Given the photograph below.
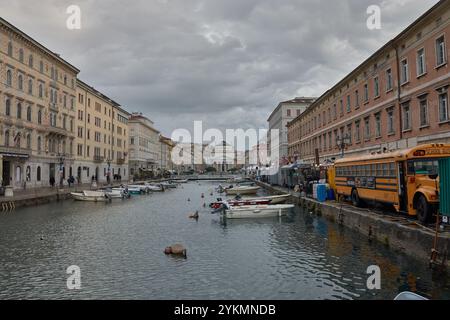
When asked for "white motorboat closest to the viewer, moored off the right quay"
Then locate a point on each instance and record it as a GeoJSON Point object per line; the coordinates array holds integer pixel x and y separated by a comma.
{"type": "Point", "coordinates": [257, 211]}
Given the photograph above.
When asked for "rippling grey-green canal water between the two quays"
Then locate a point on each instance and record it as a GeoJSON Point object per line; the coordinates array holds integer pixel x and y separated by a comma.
{"type": "Point", "coordinates": [119, 249]}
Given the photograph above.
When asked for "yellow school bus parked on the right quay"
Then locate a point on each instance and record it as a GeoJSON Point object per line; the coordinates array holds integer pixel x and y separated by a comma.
{"type": "Point", "coordinates": [407, 179]}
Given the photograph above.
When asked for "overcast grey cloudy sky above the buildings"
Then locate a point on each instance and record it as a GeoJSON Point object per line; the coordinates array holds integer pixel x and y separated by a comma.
{"type": "Point", "coordinates": [226, 62]}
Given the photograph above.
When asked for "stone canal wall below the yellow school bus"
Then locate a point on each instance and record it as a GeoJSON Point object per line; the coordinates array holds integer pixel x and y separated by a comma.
{"type": "Point", "coordinates": [396, 232]}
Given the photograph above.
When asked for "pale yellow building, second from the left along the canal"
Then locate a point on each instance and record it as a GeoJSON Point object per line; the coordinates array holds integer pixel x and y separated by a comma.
{"type": "Point", "coordinates": [101, 129]}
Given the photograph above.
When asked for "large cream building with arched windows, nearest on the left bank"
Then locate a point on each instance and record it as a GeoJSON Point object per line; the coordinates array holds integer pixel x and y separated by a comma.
{"type": "Point", "coordinates": [37, 111]}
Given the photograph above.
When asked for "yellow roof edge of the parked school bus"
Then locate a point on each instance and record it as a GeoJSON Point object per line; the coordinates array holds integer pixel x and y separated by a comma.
{"type": "Point", "coordinates": [400, 154]}
